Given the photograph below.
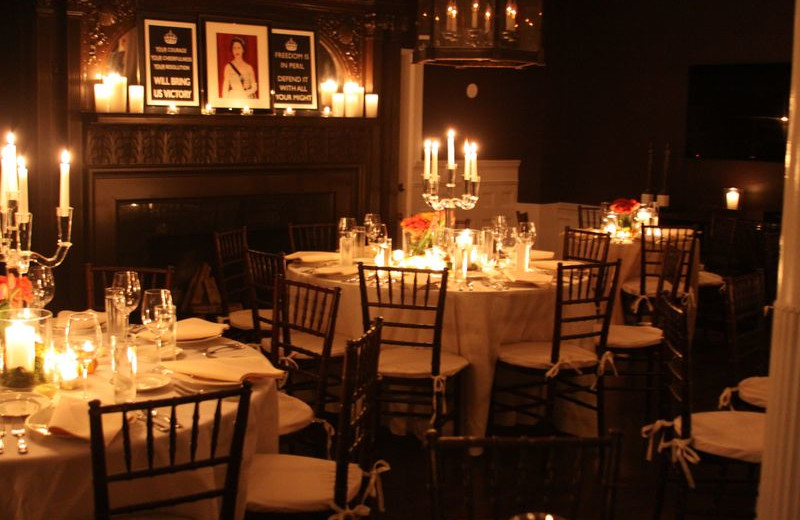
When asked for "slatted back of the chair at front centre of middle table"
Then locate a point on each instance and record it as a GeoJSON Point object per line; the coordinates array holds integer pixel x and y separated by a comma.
{"type": "Point", "coordinates": [411, 301]}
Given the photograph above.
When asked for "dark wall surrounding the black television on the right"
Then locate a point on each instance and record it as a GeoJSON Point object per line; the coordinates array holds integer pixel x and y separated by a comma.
{"type": "Point", "coordinates": [616, 81]}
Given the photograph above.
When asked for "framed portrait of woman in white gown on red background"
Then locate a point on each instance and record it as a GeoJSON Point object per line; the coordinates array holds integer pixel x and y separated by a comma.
{"type": "Point", "coordinates": [237, 64]}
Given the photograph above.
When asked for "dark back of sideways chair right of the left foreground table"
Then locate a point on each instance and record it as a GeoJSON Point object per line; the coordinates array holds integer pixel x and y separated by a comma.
{"type": "Point", "coordinates": [358, 418]}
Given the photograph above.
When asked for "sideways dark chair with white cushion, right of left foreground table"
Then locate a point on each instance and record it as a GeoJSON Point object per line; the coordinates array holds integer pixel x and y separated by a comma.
{"type": "Point", "coordinates": [281, 484]}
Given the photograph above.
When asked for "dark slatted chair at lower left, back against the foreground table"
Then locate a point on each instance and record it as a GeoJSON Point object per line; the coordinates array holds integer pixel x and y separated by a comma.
{"type": "Point", "coordinates": [193, 450]}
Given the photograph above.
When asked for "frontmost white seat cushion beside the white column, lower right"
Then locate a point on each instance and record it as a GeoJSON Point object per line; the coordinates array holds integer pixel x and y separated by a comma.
{"type": "Point", "coordinates": [729, 434]}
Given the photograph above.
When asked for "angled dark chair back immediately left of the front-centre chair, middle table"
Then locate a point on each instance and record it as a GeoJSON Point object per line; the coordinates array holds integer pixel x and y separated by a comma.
{"type": "Point", "coordinates": [305, 311]}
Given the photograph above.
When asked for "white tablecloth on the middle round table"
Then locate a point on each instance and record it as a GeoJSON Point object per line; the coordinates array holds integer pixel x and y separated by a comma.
{"type": "Point", "coordinates": [475, 324]}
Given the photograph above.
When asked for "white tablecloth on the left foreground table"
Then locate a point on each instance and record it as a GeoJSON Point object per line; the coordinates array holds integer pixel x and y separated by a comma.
{"type": "Point", "coordinates": [54, 480]}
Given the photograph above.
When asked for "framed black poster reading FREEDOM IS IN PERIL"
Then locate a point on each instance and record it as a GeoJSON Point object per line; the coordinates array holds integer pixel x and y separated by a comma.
{"type": "Point", "coordinates": [294, 68]}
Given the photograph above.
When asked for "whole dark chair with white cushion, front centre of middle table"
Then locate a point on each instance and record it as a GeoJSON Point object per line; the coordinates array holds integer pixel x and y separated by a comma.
{"type": "Point", "coordinates": [418, 378]}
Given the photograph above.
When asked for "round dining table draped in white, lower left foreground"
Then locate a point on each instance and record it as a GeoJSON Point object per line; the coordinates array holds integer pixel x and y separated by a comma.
{"type": "Point", "coordinates": [54, 479]}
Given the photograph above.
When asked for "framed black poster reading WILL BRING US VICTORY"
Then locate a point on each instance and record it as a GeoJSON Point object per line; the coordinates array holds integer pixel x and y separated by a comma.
{"type": "Point", "coordinates": [170, 49]}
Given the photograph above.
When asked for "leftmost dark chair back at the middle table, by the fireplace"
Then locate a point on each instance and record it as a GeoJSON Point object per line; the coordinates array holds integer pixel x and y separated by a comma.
{"type": "Point", "coordinates": [229, 250]}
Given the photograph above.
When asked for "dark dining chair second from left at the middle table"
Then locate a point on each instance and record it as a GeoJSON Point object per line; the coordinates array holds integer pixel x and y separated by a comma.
{"type": "Point", "coordinates": [261, 270]}
